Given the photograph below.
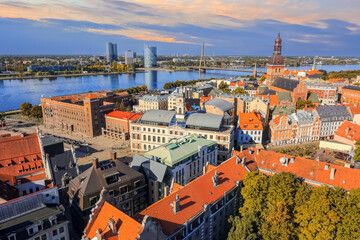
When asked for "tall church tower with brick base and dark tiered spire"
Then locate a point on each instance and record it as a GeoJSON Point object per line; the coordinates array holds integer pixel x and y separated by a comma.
{"type": "Point", "coordinates": [275, 67]}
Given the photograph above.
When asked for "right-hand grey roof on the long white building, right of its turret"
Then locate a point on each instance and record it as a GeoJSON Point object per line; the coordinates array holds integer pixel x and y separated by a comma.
{"type": "Point", "coordinates": [204, 120]}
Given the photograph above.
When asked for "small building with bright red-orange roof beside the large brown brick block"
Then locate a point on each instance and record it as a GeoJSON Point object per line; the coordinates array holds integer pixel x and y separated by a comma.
{"type": "Point", "coordinates": [117, 124]}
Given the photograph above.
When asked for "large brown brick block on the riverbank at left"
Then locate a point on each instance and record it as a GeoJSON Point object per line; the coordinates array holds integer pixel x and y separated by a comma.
{"type": "Point", "coordinates": [80, 113]}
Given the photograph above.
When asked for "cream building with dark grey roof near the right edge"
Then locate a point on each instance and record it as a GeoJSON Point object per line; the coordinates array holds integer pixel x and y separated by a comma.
{"type": "Point", "coordinates": [331, 118]}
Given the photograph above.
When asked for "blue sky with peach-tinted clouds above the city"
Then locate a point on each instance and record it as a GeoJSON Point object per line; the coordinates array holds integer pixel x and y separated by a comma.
{"type": "Point", "coordinates": [227, 27]}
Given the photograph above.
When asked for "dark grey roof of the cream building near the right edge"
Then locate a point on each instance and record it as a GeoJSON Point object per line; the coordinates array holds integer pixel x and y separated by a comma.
{"type": "Point", "coordinates": [333, 113]}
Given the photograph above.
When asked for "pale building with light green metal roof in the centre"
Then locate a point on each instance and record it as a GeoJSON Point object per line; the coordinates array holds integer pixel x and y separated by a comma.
{"type": "Point", "coordinates": [185, 157]}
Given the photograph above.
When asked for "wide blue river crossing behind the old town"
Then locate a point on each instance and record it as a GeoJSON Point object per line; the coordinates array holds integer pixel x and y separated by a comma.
{"type": "Point", "coordinates": [14, 92]}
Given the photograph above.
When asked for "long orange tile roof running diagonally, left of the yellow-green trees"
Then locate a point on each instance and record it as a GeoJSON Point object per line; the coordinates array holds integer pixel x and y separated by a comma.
{"type": "Point", "coordinates": [195, 194]}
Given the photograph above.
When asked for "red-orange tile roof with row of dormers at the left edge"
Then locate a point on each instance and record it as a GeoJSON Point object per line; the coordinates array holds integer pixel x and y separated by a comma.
{"type": "Point", "coordinates": [20, 153]}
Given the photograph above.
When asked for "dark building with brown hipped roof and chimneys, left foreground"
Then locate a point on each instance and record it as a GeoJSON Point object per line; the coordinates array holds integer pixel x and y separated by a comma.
{"type": "Point", "coordinates": [124, 183]}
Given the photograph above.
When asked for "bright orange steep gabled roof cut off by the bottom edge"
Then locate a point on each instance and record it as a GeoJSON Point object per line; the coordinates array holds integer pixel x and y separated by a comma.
{"type": "Point", "coordinates": [128, 228]}
